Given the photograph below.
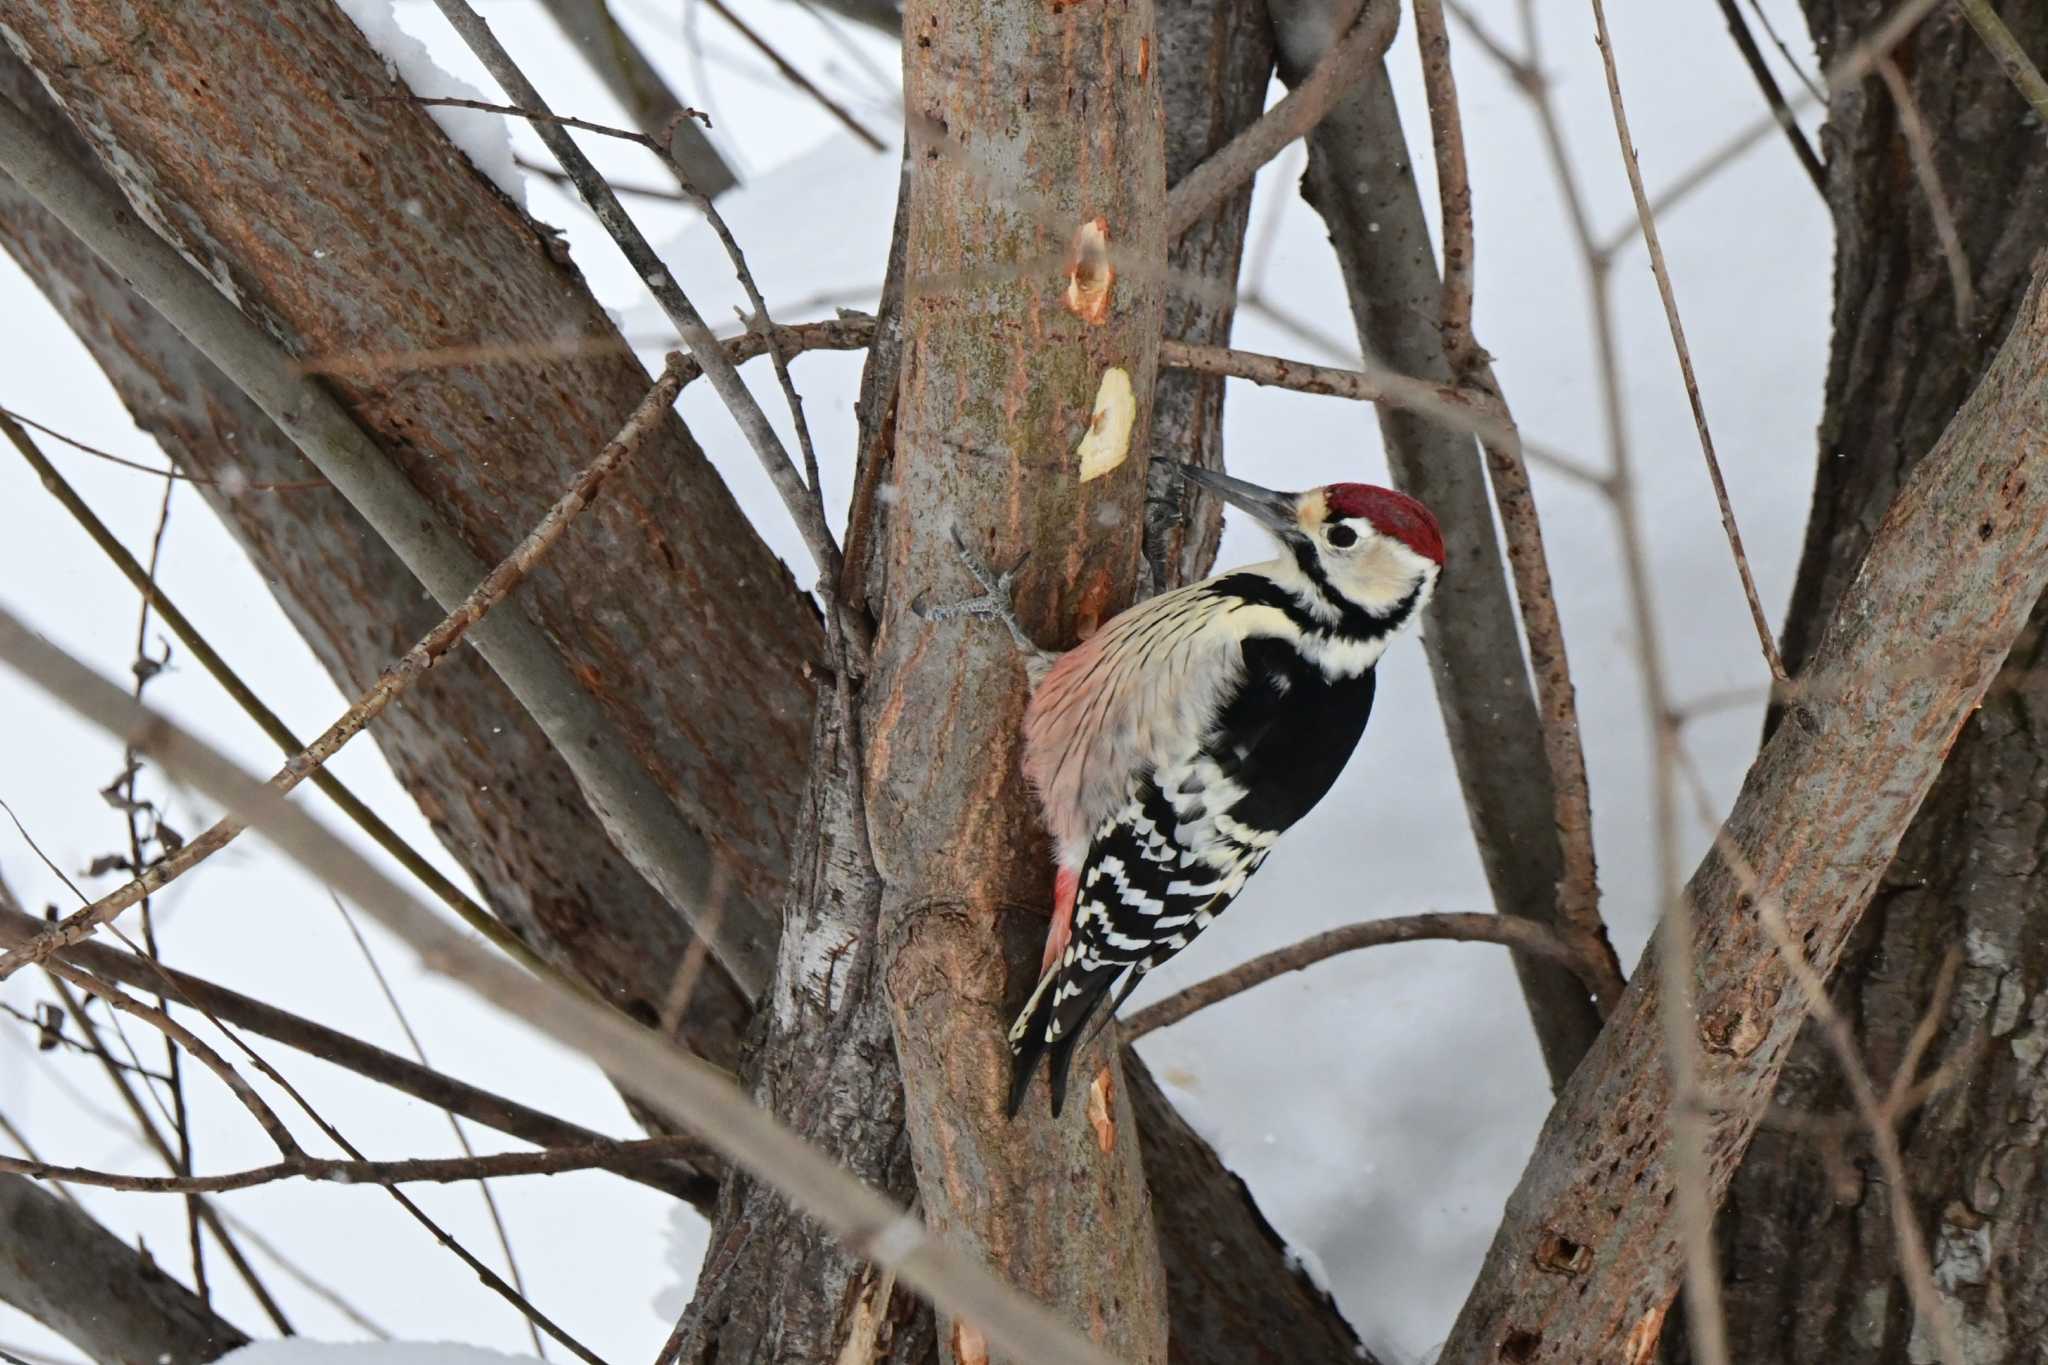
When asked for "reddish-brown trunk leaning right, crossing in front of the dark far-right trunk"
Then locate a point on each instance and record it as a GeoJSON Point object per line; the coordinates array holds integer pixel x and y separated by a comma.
{"type": "Point", "coordinates": [1959, 562]}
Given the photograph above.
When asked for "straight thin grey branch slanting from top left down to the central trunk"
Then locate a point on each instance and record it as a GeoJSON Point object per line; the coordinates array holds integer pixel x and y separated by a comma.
{"type": "Point", "coordinates": [699, 341]}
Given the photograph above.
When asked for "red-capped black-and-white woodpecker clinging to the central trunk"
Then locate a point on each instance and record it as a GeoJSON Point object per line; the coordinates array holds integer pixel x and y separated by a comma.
{"type": "Point", "coordinates": [1175, 746]}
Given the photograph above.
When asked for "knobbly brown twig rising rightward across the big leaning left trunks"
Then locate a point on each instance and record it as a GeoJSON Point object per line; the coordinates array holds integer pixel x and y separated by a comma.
{"type": "Point", "coordinates": [417, 662]}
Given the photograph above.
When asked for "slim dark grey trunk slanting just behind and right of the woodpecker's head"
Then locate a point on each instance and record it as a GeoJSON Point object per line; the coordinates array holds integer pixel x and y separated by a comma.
{"type": "Point", "coordinates": [1363, 183]}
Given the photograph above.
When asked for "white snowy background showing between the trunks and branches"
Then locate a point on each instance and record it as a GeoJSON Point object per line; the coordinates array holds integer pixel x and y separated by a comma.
{"type": "Point", "coordinates": [1381, 1106]}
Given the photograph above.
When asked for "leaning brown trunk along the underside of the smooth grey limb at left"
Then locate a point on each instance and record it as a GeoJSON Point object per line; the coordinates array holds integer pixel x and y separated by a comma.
{"type": "Point", "coordinates": [478, 766]}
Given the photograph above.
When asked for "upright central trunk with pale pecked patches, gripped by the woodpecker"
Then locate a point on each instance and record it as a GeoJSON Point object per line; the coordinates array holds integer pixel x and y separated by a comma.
{"type": "Point", "coordinates": [1033, 120]}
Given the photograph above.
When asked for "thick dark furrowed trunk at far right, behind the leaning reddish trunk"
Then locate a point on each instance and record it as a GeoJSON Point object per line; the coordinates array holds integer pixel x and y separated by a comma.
{"type": "Point", "coordinates": [1809, 1264]}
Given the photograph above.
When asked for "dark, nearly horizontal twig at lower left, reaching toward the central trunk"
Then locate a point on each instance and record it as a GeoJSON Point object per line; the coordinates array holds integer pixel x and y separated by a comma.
{"type": "Point", "coordinates": [409, 1172]}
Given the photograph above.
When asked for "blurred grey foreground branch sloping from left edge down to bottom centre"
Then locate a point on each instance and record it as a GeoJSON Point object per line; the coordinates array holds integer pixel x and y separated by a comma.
{"type": "Point", "coordinates": [697, 1096]}
